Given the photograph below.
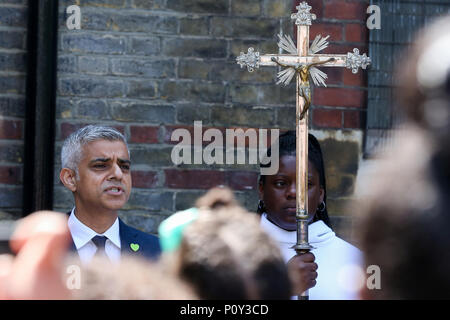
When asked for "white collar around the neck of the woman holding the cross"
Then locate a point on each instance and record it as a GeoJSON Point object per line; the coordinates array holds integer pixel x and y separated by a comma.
{"type": "Point", "coordinates": [318, 232]}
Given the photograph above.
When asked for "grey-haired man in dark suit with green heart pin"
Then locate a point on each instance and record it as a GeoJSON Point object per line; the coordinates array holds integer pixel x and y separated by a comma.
{"type": "Point", "coordinates": [96, 168]}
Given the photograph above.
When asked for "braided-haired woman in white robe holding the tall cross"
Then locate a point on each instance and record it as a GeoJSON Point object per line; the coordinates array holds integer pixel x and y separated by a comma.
{"type": "Point", "coordinates": [326, 270]}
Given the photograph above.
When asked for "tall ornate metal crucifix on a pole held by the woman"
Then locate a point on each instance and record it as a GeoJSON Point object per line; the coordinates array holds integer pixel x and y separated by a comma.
{"type": "Point", "coordinates": [302, 61]}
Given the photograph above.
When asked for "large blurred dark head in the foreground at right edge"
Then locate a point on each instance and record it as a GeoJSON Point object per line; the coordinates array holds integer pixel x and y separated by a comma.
{"type": "Point", "coordinates": [405, 227]}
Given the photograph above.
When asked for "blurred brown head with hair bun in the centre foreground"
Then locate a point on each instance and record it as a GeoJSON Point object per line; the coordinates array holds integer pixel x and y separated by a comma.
{"type": "Point", "coordinates": [224, 254]}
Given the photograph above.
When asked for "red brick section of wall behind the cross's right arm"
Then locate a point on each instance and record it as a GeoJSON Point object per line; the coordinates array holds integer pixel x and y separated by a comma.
{"type": "Point", "coordinates": [342, 105]}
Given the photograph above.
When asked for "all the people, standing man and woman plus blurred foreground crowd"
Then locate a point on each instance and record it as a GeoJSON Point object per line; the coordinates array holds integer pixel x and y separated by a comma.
{"type": "Point", "coordinates": [218, 250]}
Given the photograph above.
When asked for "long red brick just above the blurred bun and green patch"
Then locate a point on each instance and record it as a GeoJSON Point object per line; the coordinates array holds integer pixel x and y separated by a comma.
{"type": "Point", "coordinates": [194, 179]}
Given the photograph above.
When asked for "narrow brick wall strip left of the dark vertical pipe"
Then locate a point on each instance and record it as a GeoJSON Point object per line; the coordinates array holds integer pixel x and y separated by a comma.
{"type": "Point", "coordinates": [13, 24]}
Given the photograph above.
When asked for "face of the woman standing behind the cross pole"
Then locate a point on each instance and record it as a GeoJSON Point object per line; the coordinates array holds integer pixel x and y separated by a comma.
{"type": "Point", "coordinates": [279, 190]}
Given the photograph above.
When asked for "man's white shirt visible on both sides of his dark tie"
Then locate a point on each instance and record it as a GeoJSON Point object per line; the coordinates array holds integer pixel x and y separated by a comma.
{"type": "Point", "coordinates": [82, 237]}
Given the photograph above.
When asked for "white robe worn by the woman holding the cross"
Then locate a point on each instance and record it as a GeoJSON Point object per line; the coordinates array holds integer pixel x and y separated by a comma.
{"type": "Point", "coordinates": [340, 273]}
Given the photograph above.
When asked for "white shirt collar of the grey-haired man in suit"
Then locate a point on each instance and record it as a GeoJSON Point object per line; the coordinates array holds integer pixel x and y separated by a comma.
{"type": "Point", "coordinates": [82, 234]}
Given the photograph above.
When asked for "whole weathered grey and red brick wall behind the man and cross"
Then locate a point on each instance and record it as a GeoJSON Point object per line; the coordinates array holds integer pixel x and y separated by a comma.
{"type": "Point", "coordinates": [150, 67]}
